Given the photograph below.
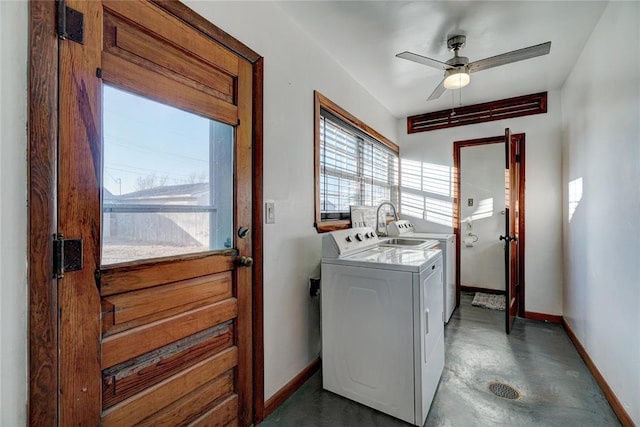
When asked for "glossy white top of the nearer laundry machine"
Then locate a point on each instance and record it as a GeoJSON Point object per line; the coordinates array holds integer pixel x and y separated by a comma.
{"type": "Point", "coordinates": [392, 258]}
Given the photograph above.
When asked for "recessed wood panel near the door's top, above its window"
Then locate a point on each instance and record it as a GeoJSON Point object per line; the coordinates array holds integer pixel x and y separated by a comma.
{"type": "Point", "coordinates": [136, 46]}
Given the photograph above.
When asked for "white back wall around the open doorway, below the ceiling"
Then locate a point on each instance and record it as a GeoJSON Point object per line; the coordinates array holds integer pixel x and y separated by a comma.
{"type": "Point", "coordinates": [543, 193]}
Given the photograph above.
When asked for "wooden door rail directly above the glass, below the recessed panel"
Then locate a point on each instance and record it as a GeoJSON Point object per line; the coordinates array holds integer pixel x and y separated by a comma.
{"type": "Point", "coordinates": [134, 78]}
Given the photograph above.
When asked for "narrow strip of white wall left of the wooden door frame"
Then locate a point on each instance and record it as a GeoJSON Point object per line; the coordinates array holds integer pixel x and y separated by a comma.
{"type": "Point", "coordinates": [13, 213]}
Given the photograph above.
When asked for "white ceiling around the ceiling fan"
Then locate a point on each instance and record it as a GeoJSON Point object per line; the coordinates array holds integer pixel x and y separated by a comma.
{"type": "Point", "coordinates": [365, 36]}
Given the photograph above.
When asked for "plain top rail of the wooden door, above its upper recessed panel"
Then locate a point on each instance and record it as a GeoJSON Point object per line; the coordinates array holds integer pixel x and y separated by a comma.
{"type": "Point", "coordinates": [157, 21]}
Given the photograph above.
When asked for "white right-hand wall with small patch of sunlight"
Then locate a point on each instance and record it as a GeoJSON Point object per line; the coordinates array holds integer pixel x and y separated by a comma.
{"type": "Point", "coordinates": [601, 145]}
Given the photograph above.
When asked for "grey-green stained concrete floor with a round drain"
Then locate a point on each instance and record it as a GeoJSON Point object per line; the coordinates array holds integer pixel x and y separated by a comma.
{"type": "Point", "coordinates": [537, 359]}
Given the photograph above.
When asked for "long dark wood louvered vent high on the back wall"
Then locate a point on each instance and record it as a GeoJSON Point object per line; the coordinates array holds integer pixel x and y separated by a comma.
{"type": "Point", "coordinates": [479, 113]}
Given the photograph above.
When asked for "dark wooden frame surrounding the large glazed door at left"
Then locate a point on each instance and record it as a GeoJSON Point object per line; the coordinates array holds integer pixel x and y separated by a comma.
{"type": "Point", "coordinates": [42, 169]}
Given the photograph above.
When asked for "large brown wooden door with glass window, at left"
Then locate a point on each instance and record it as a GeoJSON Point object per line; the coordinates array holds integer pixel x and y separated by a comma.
{"type": "Point", "coordinates": [158, 336]}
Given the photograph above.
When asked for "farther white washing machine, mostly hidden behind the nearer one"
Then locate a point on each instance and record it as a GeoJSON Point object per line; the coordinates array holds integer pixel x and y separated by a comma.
{"type": "Point", "coordinates": [406, 229]}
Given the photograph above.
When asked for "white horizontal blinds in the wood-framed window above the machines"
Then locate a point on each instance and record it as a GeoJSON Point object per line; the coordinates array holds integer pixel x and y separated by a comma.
{"type": "Point", "coordinates": [355, 169]}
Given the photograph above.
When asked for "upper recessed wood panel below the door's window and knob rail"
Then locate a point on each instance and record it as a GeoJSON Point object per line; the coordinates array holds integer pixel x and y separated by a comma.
{"type": "Point", "coordinates": [130, 309]}
